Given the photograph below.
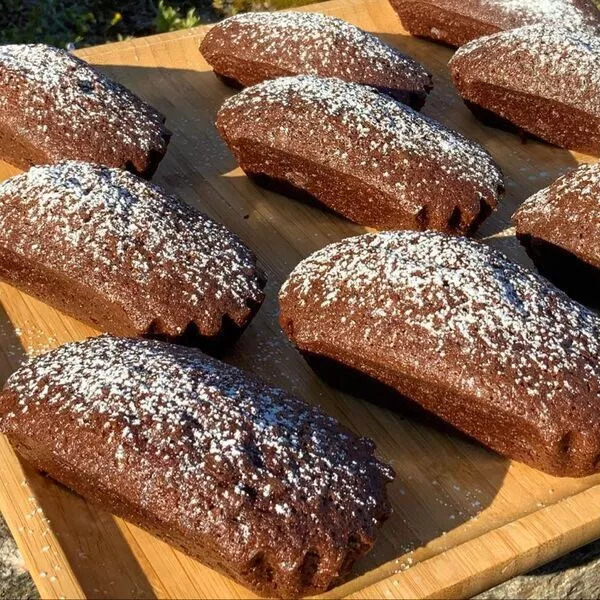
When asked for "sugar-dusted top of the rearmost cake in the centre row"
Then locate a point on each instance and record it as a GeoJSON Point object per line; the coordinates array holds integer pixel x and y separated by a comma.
{"type": "Point", "coordinates": [308, 42]}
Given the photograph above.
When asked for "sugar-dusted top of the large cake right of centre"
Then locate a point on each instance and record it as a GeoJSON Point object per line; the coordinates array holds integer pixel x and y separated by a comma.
{"type": "Point", "coordinates": [404, 295]}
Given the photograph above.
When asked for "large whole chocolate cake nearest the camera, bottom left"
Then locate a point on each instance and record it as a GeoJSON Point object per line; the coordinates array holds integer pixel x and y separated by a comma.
{"type": "Point", "coordinates": [243, 477]}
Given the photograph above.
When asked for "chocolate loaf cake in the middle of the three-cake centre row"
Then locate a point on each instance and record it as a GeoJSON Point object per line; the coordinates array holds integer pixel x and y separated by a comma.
{"type": "Point", "coordinates": [362, 154]}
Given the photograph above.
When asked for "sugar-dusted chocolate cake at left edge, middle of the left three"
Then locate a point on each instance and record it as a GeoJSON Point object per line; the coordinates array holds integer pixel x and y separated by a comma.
{"type": "Point", "coordinates": [117, 252]}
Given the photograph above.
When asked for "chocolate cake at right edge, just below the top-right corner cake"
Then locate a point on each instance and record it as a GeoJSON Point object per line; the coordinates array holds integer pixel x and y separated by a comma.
{"type": "Point", "coordinates": [536, 79]}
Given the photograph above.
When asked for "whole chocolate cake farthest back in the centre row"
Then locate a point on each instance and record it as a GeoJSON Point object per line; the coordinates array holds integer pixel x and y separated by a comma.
{"type": "Point", "coordinates": [249, 48]}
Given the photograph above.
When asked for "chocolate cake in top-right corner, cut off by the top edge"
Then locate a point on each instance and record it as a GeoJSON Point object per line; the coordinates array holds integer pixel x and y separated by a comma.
{"type": "Point", "coordinates": [456, 22]}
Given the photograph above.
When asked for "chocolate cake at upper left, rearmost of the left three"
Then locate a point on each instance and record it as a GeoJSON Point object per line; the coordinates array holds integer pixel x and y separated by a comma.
{"type": "Point", "coordinates": [54, 107]}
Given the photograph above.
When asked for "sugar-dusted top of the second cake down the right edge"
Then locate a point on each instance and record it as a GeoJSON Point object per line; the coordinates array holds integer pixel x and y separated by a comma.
{"type": "Point", "coordinates": [553, 63]}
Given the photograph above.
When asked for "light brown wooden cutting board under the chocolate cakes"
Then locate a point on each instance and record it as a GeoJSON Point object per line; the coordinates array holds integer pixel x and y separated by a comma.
{"type": "Point", "coordinates": [464, 518]}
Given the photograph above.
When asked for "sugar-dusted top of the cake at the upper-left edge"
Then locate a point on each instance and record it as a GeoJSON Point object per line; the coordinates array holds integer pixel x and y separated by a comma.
{"type": "Point", "coordinates": [85, 105]}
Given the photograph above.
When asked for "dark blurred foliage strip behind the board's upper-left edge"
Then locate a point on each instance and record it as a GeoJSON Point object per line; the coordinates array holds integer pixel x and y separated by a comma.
{"type": "Point", "coordinates": [88, 22]}
